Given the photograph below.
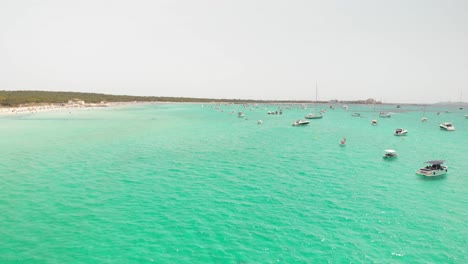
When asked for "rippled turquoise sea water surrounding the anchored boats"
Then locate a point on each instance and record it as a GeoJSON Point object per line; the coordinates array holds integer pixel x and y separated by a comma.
{"type": "Point", "coordinates": [190, 183]}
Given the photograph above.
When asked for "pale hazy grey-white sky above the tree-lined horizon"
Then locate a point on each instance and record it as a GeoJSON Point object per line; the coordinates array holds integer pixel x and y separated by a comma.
{"type": "Point", "coordinates": [392, 50]}
